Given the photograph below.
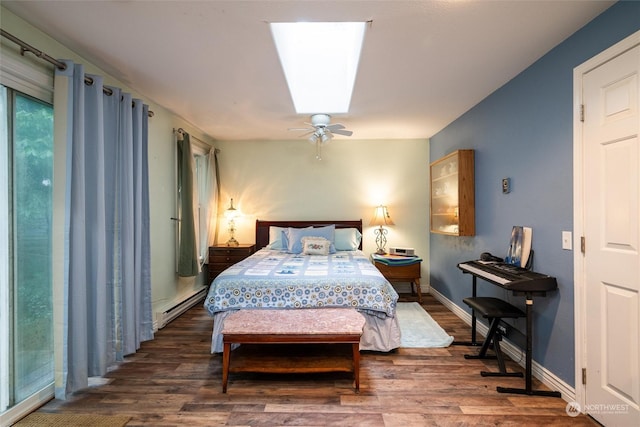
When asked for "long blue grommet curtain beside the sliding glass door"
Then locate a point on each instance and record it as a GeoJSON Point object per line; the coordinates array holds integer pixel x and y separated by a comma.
{"type": "Point", "coordinates": [107, 277]}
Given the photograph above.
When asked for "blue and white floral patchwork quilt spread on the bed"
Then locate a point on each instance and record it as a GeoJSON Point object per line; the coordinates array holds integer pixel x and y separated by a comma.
{"type": "Point", "coordinates": [274, 279]}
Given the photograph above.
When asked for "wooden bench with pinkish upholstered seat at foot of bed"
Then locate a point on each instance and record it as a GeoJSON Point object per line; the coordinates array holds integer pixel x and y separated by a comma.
{"type": "Point", "coordinates": [294, 326]}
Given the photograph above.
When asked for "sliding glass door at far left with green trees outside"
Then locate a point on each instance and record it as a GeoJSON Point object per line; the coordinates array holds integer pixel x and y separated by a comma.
{"type": "Point", "coordinates": [26, 310]}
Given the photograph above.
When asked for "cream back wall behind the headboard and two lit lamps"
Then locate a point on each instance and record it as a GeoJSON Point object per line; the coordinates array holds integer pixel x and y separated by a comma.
{"type": "Point", "coordinates": [281, 180]}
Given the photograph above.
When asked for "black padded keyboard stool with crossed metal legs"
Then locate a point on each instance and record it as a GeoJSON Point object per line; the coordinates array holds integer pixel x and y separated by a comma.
{"type": "Point", "coordinates": [493, 309]}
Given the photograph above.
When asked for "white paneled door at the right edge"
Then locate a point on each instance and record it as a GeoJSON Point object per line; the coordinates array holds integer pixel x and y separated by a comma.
{"type": "Point", "coordinates": [611, 265]}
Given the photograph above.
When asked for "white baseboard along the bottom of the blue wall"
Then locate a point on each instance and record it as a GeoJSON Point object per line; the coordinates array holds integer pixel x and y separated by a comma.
{"type": "Point", "coordinates": [545, 376]}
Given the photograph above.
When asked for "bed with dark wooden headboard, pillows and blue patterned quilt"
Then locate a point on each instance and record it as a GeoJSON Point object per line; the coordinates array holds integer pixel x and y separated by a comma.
{"type": "Point", "coordinates": [279, 275]}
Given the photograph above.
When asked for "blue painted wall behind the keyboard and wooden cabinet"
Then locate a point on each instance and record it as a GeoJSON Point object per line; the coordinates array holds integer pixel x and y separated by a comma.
{"type": "Point", "coordinates": [524, 131]}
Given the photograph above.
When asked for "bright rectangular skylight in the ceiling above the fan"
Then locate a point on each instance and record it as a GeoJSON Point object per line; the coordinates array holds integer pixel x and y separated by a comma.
{"type": "Point", "coordinates": [320, 61]}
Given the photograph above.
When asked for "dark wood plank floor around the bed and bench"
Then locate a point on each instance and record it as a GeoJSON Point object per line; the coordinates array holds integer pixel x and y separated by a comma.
{"type": "Point", "coordinates": [175, 381]}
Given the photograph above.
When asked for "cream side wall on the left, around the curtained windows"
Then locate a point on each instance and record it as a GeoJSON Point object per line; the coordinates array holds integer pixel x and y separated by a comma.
{"type": "Point", "coordinates": [166, 287]}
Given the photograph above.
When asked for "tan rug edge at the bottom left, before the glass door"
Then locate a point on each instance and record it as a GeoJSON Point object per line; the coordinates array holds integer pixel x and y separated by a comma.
{"type": "Point", "coordinates": [44, 419]}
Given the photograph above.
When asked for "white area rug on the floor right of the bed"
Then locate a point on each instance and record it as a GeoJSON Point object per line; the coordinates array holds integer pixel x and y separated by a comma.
{"type": "Point", "coordinates": [418, 329]}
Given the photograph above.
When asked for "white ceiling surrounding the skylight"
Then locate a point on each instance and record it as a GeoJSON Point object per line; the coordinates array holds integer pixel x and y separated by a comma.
{"type": "Point", "coordinates": [213, 63]}
